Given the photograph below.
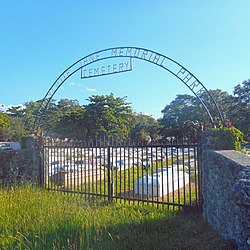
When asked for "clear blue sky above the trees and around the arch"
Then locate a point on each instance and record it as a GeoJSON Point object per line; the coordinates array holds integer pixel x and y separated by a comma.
{"type": "Point", "coordinates": [40, 39]}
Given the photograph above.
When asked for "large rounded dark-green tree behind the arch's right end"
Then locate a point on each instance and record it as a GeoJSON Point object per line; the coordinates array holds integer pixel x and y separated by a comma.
{"type": "Point", "coordinates": [186, 116]}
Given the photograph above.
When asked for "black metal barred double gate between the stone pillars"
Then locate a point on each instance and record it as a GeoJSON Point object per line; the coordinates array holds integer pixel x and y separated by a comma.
{"type": "Point", "coordinates": [166, 174]}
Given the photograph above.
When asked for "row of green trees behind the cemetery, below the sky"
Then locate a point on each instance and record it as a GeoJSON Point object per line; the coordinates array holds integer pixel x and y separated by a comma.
{"type": "Point", "coordinates": [113, 116]}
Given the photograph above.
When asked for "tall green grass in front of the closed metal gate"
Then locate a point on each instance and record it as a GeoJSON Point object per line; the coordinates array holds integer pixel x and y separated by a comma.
{"type": "Point", "coordinates": [33, 218]}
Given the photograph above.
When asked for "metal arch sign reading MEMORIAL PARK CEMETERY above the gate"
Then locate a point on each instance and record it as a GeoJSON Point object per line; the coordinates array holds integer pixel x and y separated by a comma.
{"type": "Point", "coordinates": [122, 58]}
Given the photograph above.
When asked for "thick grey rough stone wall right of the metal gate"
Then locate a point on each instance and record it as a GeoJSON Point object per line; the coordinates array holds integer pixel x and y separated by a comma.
{"type": "Point", "coordinates": [226, 192]}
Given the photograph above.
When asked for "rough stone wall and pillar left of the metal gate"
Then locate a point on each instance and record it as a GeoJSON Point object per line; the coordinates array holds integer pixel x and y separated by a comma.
{"type": "Point", "coordinates": [20, 166]}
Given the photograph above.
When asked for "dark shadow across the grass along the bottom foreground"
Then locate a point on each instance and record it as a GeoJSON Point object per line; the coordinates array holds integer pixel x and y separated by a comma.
{"type": "Point", "coordinates": [179, 231]}
